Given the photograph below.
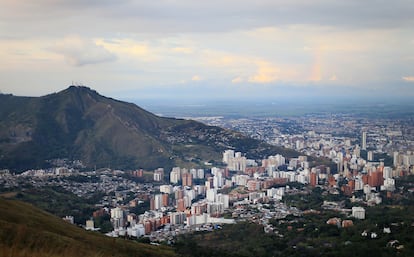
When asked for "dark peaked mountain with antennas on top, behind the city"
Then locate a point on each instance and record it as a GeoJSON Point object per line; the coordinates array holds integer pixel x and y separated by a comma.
{"type": "Point", "coordinates": [79, 124]}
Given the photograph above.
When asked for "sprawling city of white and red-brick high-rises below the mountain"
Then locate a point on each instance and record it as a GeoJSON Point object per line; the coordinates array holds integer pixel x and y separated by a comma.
{"type": "Point", "coordinates": [372, 166]}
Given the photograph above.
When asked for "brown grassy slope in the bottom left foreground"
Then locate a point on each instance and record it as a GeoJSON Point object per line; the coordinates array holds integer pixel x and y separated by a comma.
{"type": "Point", "coordinates": [28, 231]}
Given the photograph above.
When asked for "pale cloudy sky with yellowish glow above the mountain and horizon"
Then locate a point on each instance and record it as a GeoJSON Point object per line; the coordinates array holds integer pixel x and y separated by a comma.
{"type": "Point", "coordinates": [181, 49]}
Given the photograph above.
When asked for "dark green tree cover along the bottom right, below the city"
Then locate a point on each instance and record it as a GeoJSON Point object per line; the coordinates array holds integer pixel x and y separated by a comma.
{"type": "Point", "coordinates": [308, 236]}
